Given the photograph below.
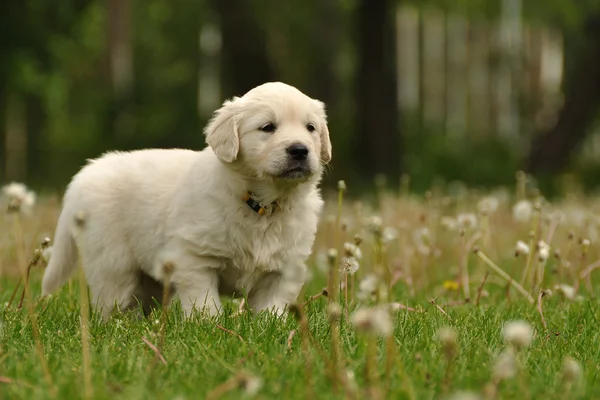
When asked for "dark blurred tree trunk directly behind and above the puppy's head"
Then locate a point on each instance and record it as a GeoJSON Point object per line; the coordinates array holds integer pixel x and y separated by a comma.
{"type": "Point", "coordinates": [244, 59]}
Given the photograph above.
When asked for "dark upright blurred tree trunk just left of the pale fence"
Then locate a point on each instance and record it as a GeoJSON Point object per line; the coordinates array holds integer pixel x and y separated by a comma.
{"type": "Point", "coordinates": [378, 148]}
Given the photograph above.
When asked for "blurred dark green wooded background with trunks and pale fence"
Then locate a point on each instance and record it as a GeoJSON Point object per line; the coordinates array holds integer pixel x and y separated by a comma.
{"type": "Point", "coordinates": [442, 90]}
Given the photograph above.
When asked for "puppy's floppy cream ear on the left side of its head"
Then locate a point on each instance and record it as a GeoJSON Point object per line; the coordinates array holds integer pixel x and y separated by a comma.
{"type": "Point", "coordinates": [222, 133]}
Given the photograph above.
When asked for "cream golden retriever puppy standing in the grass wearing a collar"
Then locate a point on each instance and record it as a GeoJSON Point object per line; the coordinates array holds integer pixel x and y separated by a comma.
{"type": "Point", "coordinates": [240, 216]}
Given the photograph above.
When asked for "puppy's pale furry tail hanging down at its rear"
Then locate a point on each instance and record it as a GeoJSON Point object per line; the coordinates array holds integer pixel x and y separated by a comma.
{"type": "Point", "coordinates": [63, 258]}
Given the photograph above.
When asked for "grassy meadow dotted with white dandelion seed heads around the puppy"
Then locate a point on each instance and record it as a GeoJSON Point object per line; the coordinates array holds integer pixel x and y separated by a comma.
{"type": "Point", "coordinates": [455, 294]}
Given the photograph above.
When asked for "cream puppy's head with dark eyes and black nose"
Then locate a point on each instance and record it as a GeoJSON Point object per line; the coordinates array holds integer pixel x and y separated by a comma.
{"type": "Point", "coordinates": [273, 131]}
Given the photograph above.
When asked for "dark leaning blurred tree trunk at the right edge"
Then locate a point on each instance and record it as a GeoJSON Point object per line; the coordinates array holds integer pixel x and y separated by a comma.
{"type": "Point", "coordinates": [550, 151]}
